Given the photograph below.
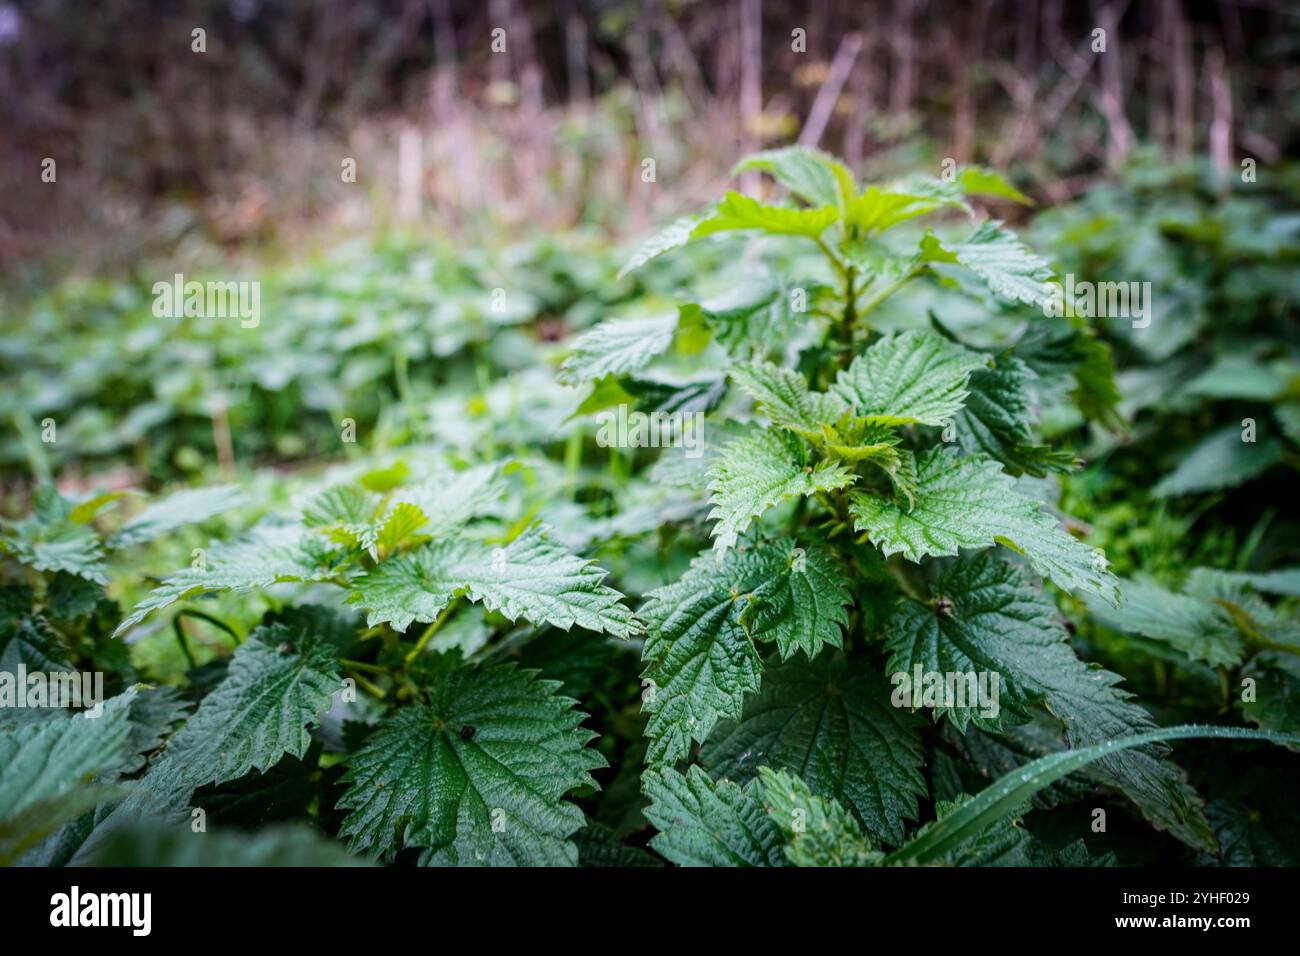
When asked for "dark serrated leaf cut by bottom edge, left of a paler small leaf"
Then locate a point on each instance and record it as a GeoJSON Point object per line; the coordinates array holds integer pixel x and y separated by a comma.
{"type": "Point", "coordinates": [707, 824]}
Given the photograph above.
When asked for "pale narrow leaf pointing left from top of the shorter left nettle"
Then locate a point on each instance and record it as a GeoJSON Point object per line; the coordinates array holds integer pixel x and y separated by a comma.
{"type": "Point", "coordinates": [268, 555]}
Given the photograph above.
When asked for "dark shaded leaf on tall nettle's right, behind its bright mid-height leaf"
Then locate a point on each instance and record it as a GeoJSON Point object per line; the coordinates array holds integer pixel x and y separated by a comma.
{"type": "Point", "coordinates": [998, 421]}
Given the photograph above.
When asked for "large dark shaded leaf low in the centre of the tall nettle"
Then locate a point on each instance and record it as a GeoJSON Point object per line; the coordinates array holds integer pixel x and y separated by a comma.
{"type": "Point", "coordinates": [831, 723]}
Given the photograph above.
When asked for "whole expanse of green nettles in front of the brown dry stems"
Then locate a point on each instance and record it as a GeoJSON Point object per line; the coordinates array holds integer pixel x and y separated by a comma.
{"type": "Point", "coordinates": [392, 596]}
